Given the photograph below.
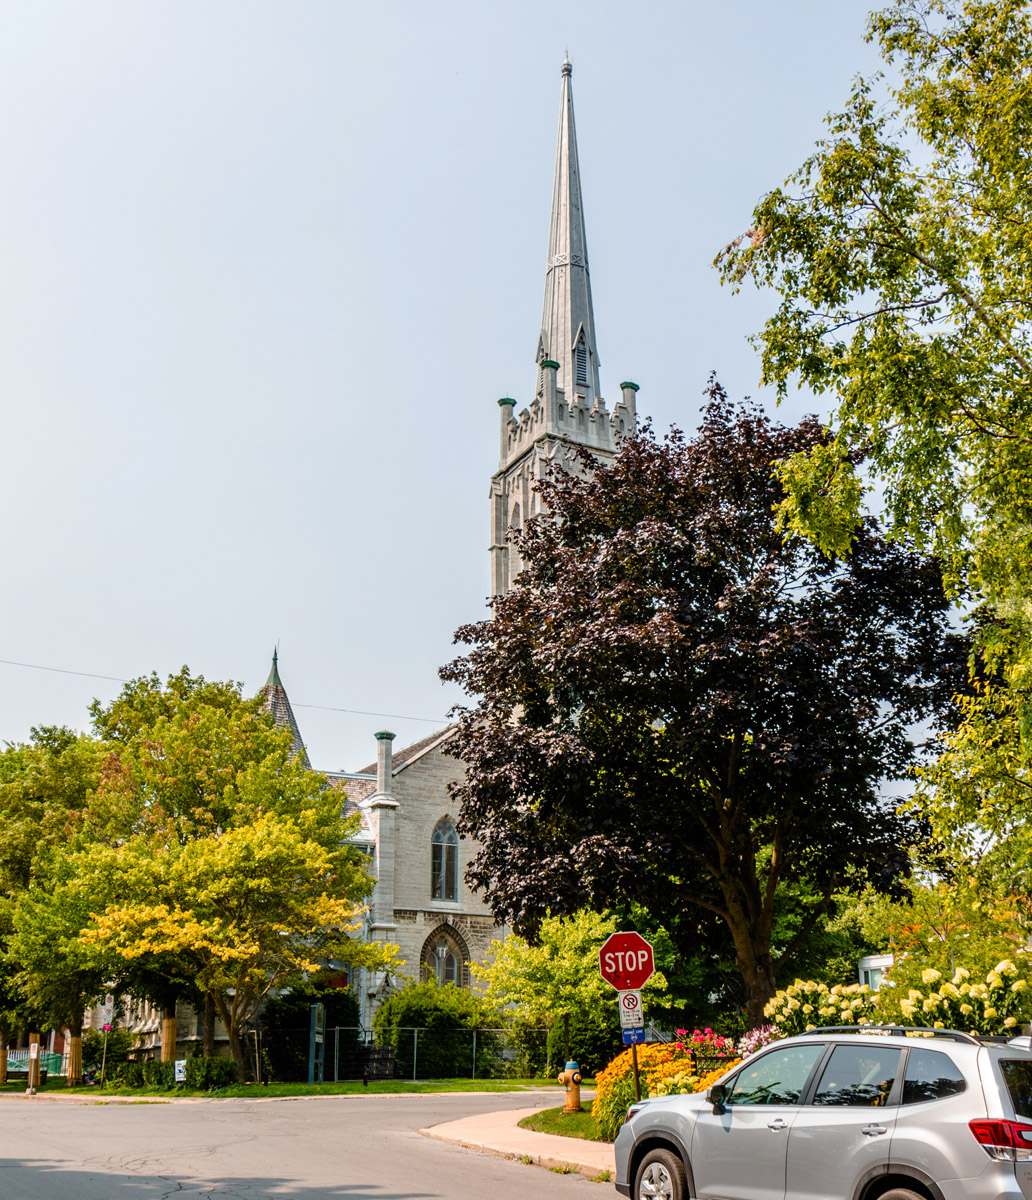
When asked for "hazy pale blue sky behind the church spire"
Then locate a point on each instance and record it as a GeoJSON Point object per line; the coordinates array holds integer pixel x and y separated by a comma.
{"type": "Point", "coordinates": [267, 269]}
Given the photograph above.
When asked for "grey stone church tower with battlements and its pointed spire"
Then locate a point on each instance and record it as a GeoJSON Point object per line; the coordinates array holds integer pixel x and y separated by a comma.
{"type": "Point", "coordinates": [568, 410]}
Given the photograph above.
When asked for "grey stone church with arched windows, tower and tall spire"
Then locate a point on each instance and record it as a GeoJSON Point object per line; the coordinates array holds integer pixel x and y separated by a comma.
{"type": "Point", "coordinates": [407, 819]}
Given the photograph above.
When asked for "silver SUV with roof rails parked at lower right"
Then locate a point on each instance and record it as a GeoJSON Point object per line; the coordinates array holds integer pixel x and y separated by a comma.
{"type": "Point", "coordinates": [871, 1113]}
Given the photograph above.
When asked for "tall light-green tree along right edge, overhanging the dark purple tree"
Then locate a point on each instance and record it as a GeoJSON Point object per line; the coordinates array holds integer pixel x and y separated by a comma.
{"type": "Point", "coordinates": [901, 255]}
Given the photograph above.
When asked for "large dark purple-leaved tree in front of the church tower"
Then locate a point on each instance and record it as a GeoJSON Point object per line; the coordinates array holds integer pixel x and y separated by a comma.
{"type": "Point", "coordinates": [681, 707]}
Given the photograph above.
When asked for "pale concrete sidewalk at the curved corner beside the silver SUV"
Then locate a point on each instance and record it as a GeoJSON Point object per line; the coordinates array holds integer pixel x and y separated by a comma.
{"type": "Point", "coordinates": [500, 1133]}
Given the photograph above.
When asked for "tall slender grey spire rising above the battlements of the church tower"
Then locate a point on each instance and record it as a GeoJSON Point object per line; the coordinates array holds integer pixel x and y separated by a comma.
{"type": "Point", "coordinates": [568, 321]}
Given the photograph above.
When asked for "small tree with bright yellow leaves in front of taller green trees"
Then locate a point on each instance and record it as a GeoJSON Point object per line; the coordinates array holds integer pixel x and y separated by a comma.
{"type": "Point", "coordinates": [239, 913]}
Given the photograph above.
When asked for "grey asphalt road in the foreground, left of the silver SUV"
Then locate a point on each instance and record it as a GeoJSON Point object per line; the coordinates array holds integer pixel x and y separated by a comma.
{"type": "Point", "coordinates": [328, 1149]}
